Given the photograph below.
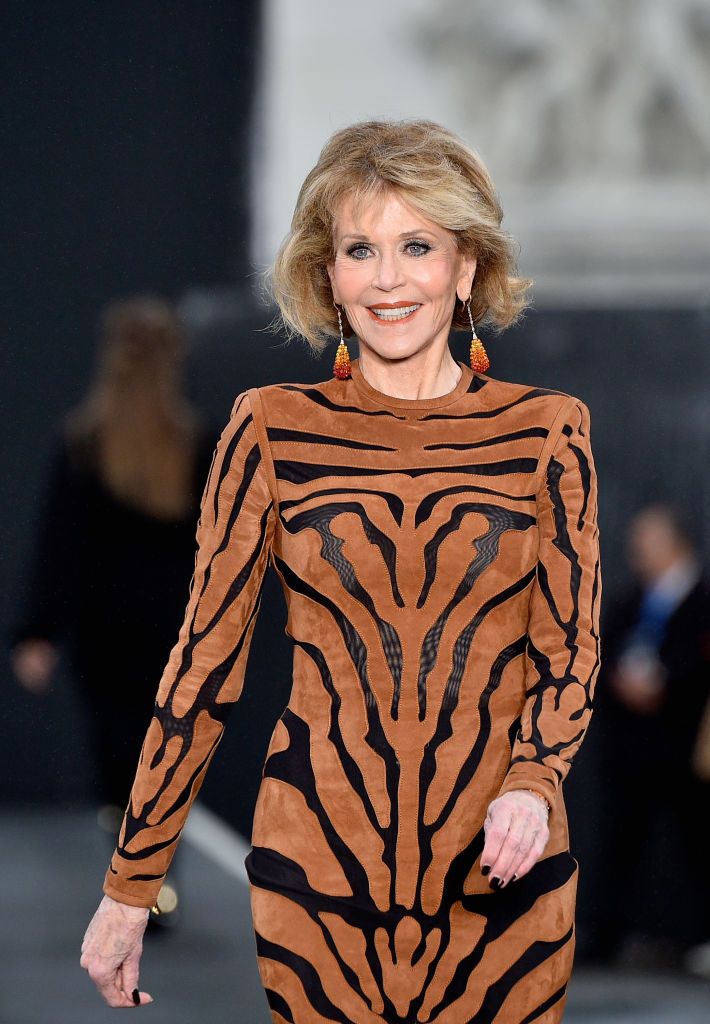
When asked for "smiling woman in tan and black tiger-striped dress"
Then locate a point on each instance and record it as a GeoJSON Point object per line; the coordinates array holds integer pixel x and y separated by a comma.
{"type": "Point", "coordinates": [435, 531]}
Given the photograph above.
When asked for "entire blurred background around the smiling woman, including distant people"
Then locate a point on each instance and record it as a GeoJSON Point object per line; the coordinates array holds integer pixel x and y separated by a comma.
{"type": "Point", "coordinates": [154, 155]}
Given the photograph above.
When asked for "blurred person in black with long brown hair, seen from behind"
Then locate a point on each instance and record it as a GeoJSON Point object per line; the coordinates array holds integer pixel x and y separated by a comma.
{"type": "Point", "coordinates": [115, 546]}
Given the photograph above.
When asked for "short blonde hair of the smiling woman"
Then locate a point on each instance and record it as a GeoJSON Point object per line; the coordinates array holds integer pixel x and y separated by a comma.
{"type": "Point", "coordinates": [436, 174]}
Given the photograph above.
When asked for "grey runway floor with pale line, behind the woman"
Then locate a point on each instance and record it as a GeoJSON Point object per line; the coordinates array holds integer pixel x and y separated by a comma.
{"type": "Point", "coordinates": [204, 972]}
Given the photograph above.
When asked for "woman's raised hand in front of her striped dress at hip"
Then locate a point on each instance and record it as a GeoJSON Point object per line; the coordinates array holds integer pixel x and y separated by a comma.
{"type": "Point", "coordinates": [517, 835]}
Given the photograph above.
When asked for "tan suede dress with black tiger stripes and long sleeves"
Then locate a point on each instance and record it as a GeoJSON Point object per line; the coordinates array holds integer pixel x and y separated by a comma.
{"type": "Point", "coordinates": [441, 566]}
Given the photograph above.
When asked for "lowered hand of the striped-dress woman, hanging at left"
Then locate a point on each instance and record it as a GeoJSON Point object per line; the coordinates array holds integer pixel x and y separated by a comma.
{"type": "Point", "coordinates": [111, 952]}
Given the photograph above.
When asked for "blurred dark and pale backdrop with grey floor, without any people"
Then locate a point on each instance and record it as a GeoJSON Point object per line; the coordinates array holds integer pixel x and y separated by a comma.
{"type": "Point", "coordinates": [158, 149]}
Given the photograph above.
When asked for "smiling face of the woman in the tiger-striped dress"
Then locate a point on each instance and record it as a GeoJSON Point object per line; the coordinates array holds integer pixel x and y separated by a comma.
{"type": "Point", "coordinates": [395, 257]}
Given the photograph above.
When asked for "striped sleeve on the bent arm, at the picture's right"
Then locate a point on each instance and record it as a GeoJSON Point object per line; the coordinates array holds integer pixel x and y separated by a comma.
{"type": "Point", "coordinates": [563, 653]}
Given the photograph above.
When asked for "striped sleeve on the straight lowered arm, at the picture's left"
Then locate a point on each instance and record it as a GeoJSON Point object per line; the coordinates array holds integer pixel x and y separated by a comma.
{"type": "Point", "coordinates": [205, 671]}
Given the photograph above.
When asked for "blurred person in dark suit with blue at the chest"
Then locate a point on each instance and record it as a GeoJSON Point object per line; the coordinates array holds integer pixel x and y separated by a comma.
{"type": "Point", "coordinates": [653, 696]}
